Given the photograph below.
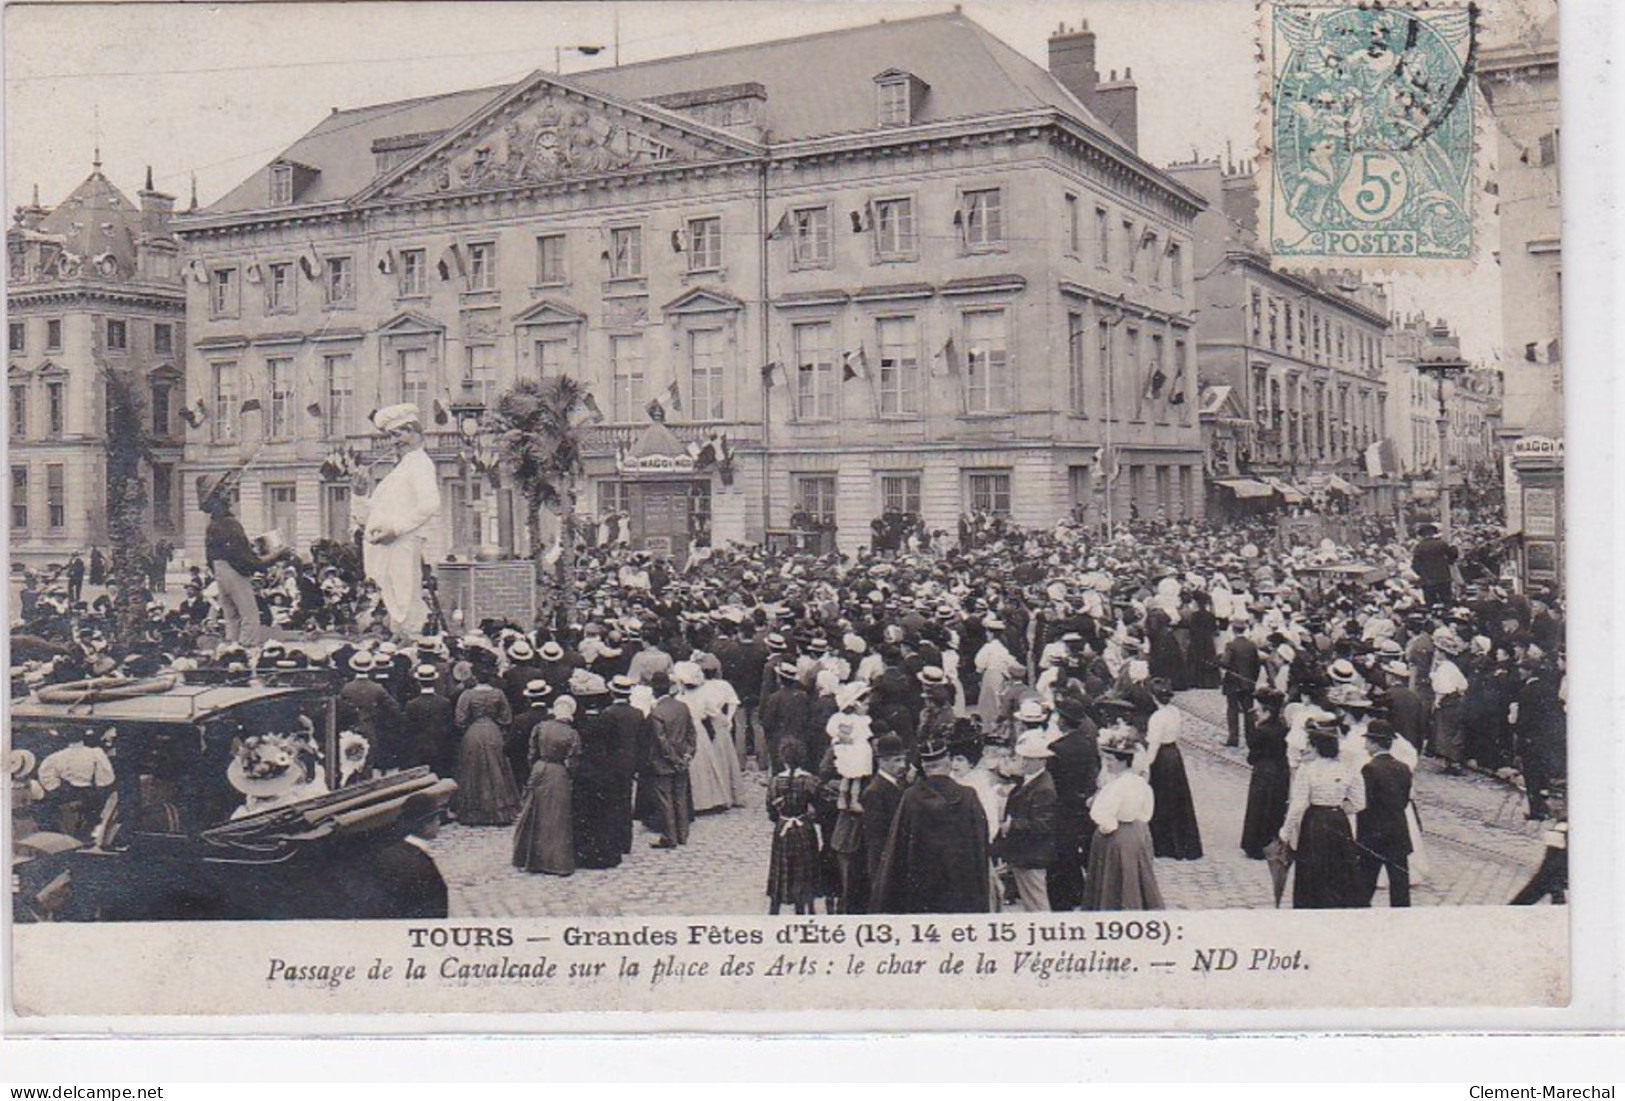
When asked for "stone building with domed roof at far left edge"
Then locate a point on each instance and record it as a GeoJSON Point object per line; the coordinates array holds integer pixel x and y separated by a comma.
{"type": "Point", "coordinates": [93, 288]}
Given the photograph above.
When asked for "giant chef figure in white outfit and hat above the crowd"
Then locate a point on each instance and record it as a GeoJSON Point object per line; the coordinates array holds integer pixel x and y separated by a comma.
{"type": "Point", "coordinates": [397, 520]}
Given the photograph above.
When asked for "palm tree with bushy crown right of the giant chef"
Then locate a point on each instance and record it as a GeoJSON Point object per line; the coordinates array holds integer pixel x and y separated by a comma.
{"type": "Point", "coordinates": [542, 446]}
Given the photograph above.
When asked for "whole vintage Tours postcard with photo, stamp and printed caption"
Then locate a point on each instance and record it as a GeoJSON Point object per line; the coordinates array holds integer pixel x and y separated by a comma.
{"type": "Point", "coordinates": [600, 509]}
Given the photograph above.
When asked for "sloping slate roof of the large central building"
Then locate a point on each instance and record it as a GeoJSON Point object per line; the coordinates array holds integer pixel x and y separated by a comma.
{"type": "Point", "coordinates": [818, 85]}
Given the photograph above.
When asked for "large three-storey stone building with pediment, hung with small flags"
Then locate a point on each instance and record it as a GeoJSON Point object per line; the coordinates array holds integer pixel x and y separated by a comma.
{"type": "Point", "coordinates": [895, 269]}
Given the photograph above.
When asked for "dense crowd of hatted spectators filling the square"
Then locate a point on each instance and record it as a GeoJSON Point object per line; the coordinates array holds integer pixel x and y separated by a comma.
{"type": "Point", "coordinates": [950, 728]}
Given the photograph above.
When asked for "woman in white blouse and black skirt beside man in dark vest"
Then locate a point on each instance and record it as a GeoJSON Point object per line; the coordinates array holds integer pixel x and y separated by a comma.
{"type": "Point", "coordinates": [1317, 827]}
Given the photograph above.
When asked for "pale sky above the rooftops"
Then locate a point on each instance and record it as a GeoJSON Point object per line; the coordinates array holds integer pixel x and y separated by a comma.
{"type": "Point", "coordinates": [219, 90]}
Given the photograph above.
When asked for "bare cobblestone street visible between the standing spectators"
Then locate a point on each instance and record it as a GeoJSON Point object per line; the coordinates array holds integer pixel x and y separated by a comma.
{"type": "Point", "coordinates": [1480, 847]}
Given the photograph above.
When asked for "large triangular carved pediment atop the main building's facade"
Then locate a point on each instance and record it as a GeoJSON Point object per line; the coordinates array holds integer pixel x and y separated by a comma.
{"type": "Point", "coordinates": [547, 129]}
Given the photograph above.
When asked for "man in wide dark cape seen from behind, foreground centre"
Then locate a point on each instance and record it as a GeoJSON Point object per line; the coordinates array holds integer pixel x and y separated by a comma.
{"type": "Point", "coordinates": [937, 858]}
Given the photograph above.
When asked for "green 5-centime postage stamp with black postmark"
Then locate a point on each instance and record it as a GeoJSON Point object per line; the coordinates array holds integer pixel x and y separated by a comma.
{"type": "Point", "coordinates": [1371, 132]}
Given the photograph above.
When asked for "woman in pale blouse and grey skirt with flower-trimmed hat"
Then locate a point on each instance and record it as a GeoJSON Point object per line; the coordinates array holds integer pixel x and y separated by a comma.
{"type": "Point", "coordinates": [1120, 863]}
